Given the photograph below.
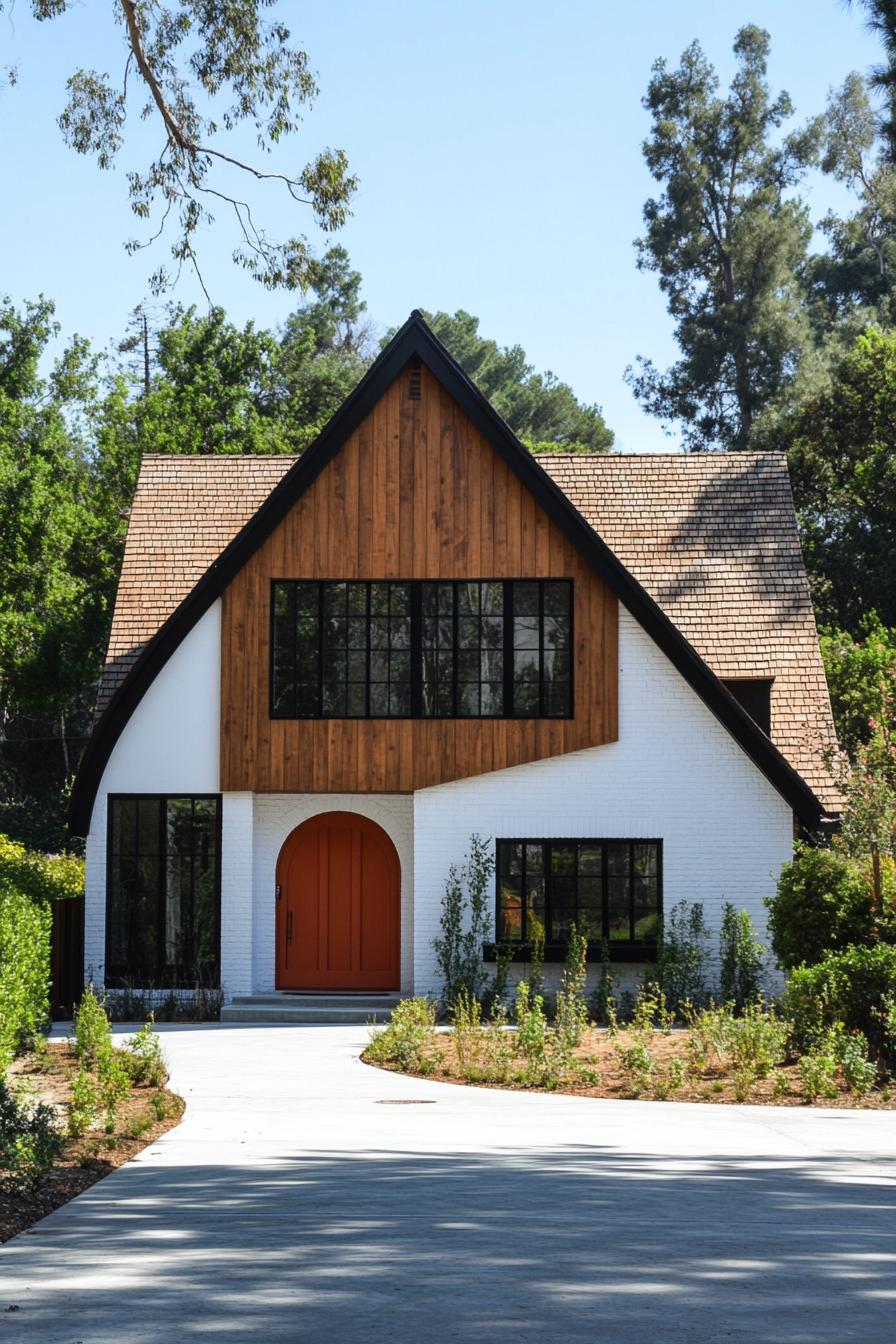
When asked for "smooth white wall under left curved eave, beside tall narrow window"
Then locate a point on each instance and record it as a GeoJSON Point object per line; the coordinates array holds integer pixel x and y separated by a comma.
{"type": "Point", "coordinates": [170, 745]}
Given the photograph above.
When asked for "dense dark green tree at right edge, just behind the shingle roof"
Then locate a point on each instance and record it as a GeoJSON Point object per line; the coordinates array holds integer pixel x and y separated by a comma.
{"type": "Point", "coordinates": [843, 466]}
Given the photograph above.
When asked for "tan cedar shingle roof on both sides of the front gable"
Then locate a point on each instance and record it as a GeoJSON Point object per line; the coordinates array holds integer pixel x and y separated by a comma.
{"type": "Point", "coordinates": [711, 537]}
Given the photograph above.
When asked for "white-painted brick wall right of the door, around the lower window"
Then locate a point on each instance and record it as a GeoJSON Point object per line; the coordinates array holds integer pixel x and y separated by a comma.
{"type": "Point", "coordinates": [675, 775]}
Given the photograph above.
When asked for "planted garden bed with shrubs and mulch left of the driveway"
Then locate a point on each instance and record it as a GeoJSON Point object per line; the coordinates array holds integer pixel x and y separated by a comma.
{"type": "Point", "coordinates": [75, 1111]}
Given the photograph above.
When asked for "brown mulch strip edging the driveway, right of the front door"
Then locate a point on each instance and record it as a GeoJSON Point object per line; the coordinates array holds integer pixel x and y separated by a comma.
{"type": "Point", "coordinates": [714, 1085]}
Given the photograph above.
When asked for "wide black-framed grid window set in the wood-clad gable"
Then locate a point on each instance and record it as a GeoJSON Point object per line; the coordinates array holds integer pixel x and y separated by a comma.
{"type": "Point", "coordinates": [453, 650]}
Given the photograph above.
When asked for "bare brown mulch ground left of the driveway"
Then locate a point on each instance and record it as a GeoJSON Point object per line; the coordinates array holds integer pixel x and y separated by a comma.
{"type": "Point", "coordinates": [85, 1161]}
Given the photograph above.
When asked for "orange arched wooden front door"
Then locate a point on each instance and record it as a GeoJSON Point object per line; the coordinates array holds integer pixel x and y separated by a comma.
{"type": "Point", "coordinates": [338, 907]}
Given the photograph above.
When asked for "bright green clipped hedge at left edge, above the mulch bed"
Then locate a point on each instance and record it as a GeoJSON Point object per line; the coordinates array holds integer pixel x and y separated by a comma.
{"type": "Point", "coordinates": [25, 971]}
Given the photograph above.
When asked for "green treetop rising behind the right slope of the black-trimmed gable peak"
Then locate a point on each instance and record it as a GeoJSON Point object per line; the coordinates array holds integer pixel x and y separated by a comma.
{"type": "Point", "coordinates": [542, 411]}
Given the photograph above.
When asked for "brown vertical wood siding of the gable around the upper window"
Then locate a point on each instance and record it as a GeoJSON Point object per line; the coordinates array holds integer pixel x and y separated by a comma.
{"type": "Point", "coordinates": [414, 494]}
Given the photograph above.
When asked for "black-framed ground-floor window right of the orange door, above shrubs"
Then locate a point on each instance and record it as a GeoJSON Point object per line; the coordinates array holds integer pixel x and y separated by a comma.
{"type": "Point", "coordinates": [609, 889]}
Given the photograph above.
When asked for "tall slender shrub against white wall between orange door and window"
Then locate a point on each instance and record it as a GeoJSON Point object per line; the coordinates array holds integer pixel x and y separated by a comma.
{"type": "Point", "coordinates": [465, 923]}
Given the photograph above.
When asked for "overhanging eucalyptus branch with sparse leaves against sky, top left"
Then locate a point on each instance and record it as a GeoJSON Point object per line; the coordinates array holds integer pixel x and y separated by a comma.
{"type": "Point", "coordinates": [195, 68]}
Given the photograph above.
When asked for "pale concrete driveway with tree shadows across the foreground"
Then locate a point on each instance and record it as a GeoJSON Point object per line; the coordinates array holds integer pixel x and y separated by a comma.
{"type": "Point", "coordinates": [307, 1197]}
